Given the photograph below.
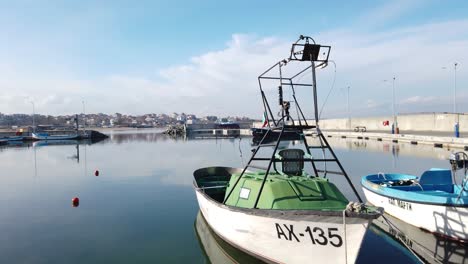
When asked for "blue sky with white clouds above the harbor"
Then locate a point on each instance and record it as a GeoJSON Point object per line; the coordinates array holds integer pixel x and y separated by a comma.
{"type": "Point", "coordinates": [204, 57]}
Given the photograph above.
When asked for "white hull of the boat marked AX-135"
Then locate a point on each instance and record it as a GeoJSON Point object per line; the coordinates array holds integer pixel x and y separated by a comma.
{"type": "Point", "coordinates": [286, 238]}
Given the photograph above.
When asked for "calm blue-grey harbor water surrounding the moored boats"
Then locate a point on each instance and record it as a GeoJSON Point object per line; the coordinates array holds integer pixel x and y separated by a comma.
{"type": "Point", "coordinates": [142, 208]}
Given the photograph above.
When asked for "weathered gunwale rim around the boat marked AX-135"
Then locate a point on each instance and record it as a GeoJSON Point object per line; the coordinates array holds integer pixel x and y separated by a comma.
{"type": "Point", "coordinates": [280, 213]}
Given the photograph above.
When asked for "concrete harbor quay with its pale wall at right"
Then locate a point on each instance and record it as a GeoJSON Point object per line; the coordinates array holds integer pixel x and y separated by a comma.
{"type": "Point", "coordinates": [445, 130]}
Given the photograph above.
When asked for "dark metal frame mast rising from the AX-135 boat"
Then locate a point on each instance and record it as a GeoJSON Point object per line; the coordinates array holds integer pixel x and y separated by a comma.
{"type": "Point", "coordinates": [303, 50]}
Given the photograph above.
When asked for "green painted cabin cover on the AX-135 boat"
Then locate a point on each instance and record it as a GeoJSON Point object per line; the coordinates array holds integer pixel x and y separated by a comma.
{"type": "Point", "coordinates": [281, 192]}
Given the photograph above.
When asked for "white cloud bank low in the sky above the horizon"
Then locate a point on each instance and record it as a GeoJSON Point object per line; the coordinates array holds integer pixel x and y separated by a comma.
{"type": "Point", "coordinates": [224, 81]}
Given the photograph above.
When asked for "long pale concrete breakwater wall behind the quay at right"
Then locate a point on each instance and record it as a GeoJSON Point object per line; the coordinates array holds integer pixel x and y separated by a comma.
{"type": "Point", "coordinates": [440, 122]}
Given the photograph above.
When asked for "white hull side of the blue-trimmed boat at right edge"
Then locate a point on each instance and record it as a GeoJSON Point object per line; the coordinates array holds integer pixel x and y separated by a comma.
{"type": "Point", "coordinates": [445, 220]}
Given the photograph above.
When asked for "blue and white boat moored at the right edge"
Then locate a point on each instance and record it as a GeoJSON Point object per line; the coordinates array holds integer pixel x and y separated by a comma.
{"type": "Point", "coordinates": [433, 201]}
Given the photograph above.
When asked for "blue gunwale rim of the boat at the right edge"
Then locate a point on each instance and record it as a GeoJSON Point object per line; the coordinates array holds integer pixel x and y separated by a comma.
{"type": "Point", "coordinates": [367, 184]}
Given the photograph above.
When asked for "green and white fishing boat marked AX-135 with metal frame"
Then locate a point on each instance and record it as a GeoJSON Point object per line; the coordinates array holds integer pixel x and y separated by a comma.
{"type": "Point", "coordinates": [281, 207]}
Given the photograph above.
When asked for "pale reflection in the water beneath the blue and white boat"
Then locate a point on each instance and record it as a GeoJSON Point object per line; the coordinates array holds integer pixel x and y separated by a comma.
{"type": "Point", "coordinates": [428, 247]}
